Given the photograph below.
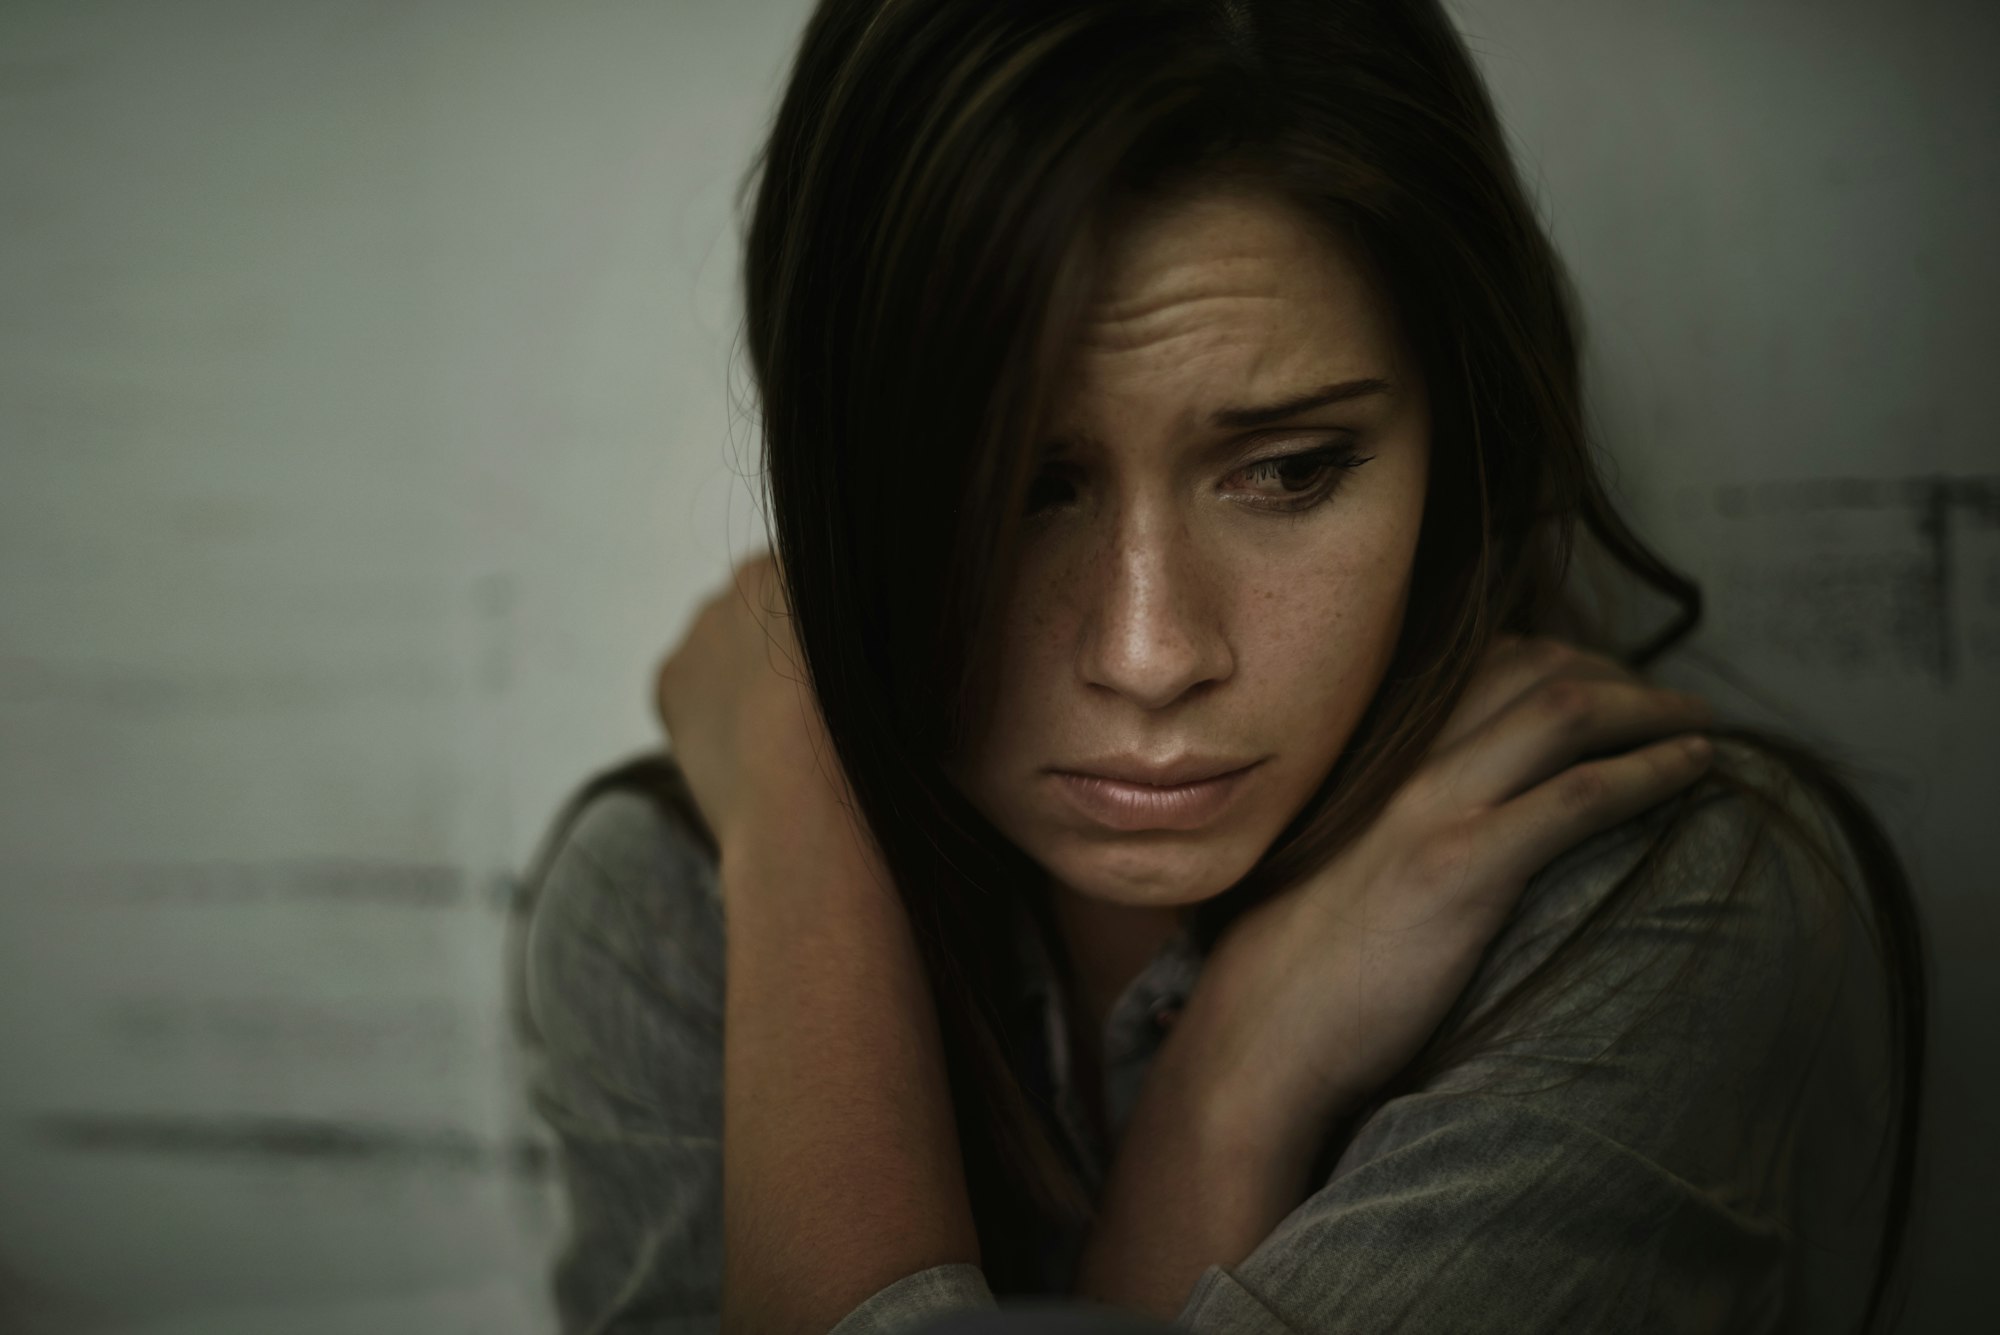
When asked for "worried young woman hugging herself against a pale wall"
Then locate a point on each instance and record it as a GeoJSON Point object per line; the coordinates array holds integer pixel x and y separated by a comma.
{"type": "Point", "coordinates": [1183, 842]}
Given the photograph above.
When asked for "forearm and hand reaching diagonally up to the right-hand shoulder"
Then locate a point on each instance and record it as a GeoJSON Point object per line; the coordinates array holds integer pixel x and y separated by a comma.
{"type": "Point", "coordinates": [1321, 994]}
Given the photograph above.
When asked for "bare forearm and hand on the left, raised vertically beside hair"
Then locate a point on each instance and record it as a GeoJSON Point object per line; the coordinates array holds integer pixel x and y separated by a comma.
{"type": "Point", "coordinates": [841, 1162]}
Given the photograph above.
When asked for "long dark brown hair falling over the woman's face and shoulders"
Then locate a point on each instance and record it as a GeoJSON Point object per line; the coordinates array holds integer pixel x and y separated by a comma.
{"type": "Point", "coordinates": [929, 211]}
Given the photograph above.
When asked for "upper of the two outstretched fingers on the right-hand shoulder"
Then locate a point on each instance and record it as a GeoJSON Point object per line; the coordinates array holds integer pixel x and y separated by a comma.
{"type": "Point", "coordinates": [1561, 722]}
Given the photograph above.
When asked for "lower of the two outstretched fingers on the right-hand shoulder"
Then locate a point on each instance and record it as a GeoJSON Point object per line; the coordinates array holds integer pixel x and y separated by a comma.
{"type": "Point", "coordinates": [1565, 810]}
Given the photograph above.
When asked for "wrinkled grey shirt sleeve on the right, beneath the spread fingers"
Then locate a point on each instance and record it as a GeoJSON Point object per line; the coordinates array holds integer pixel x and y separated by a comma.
{"type": "Point", "coordinates": [1613, 1162]}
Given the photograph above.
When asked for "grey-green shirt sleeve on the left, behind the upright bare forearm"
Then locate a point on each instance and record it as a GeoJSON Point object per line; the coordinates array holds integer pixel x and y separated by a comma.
{"type": "Point", "coordinates": [625, 998]}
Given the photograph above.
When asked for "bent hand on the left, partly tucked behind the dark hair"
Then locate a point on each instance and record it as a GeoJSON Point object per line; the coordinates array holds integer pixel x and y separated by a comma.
{"type": "Point", "coordinates": [733, 696]}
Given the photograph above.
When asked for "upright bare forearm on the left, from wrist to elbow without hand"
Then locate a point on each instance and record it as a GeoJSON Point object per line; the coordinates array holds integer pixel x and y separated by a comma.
{"type": "Point", "coordinates": [841, 1156]}
